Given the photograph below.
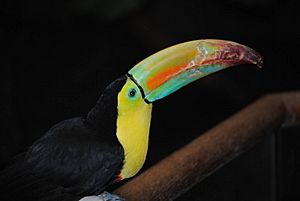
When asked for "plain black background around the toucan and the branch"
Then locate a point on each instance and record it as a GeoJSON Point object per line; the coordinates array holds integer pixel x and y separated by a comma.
{"type": "Point", "coordinates": [57, 56]}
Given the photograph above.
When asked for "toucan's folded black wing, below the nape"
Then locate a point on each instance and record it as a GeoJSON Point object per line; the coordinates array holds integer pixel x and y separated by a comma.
{"type": "Point", "coordinates": [69, 159]}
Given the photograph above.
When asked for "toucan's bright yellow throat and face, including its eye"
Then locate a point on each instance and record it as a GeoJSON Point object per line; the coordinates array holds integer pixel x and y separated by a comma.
{"type": "Point", "coordinates": [133, 124]}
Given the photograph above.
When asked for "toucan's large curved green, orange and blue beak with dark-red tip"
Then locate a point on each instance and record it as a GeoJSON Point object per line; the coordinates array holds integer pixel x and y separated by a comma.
{"type": "Point", "coordinates": [170, 69]}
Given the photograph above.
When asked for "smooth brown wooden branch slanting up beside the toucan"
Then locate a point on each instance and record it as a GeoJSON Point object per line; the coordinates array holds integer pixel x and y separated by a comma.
{"type": "Point", "coordinates": [186, 167]}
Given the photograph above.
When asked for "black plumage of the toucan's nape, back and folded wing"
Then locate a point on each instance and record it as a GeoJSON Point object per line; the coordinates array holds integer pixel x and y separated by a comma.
{"type": "Point", "coordinates": [75, 158]}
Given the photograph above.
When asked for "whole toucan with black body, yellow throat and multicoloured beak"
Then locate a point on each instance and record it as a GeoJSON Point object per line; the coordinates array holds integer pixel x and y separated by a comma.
{"type": "Point", "coordinates": [82, 156]}
